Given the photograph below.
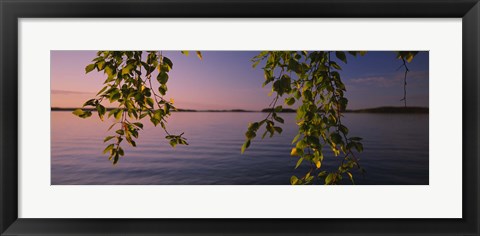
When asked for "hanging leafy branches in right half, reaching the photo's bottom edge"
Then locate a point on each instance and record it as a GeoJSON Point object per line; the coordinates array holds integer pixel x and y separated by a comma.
{"type": "Point", "coordinates": [313, 80]}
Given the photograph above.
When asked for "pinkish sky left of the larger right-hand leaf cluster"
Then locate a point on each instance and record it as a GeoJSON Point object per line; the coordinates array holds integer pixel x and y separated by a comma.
{"type": "Point", "coordinates": [190, 83]}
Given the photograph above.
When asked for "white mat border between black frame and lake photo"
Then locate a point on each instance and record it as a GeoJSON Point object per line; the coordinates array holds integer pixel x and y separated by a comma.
{"type": "Point", "coordinates": [441, 199]}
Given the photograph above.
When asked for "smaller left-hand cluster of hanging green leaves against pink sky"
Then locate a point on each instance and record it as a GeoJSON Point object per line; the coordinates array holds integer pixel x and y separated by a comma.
{"type": "Point", "coordinates": [128, 84]}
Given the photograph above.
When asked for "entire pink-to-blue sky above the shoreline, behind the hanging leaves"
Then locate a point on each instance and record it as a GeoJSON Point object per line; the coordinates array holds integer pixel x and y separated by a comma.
{"type": "Point", "coordinates": [226, 80]}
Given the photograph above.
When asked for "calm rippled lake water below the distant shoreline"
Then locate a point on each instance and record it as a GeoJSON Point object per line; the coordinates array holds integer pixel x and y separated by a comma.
{"type": "Point", "coordinates": [396, 151]}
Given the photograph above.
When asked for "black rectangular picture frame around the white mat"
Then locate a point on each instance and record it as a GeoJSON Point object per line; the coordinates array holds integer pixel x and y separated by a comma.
{"type": "Point", "coordinates": [12, 10]}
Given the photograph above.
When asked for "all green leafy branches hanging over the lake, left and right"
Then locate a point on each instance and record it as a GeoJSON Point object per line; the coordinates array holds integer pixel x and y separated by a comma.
{"type": "Point", "coordinates": [312, 80]}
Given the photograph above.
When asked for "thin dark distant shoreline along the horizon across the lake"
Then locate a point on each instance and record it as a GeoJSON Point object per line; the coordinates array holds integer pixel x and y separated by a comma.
{"type": "Point", "coordinates": [383, 110]}
